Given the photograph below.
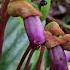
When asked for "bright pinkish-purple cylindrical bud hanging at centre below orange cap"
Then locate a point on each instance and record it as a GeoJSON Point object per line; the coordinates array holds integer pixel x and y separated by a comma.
{"type": "Point", "coordinates": [35, 30]}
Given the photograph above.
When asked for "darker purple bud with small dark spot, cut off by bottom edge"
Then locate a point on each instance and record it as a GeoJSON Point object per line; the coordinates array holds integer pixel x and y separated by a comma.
{"type": "Point", "coordinates": [58, 59]}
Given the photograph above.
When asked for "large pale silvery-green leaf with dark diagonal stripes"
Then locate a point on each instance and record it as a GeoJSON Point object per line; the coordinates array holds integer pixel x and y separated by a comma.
{"type": "Point", "coordinates": [15, 44]}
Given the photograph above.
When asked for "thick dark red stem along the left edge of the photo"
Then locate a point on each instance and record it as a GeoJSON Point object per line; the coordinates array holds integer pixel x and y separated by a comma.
{"type": "Point", "coordinates": [4, 18]}
